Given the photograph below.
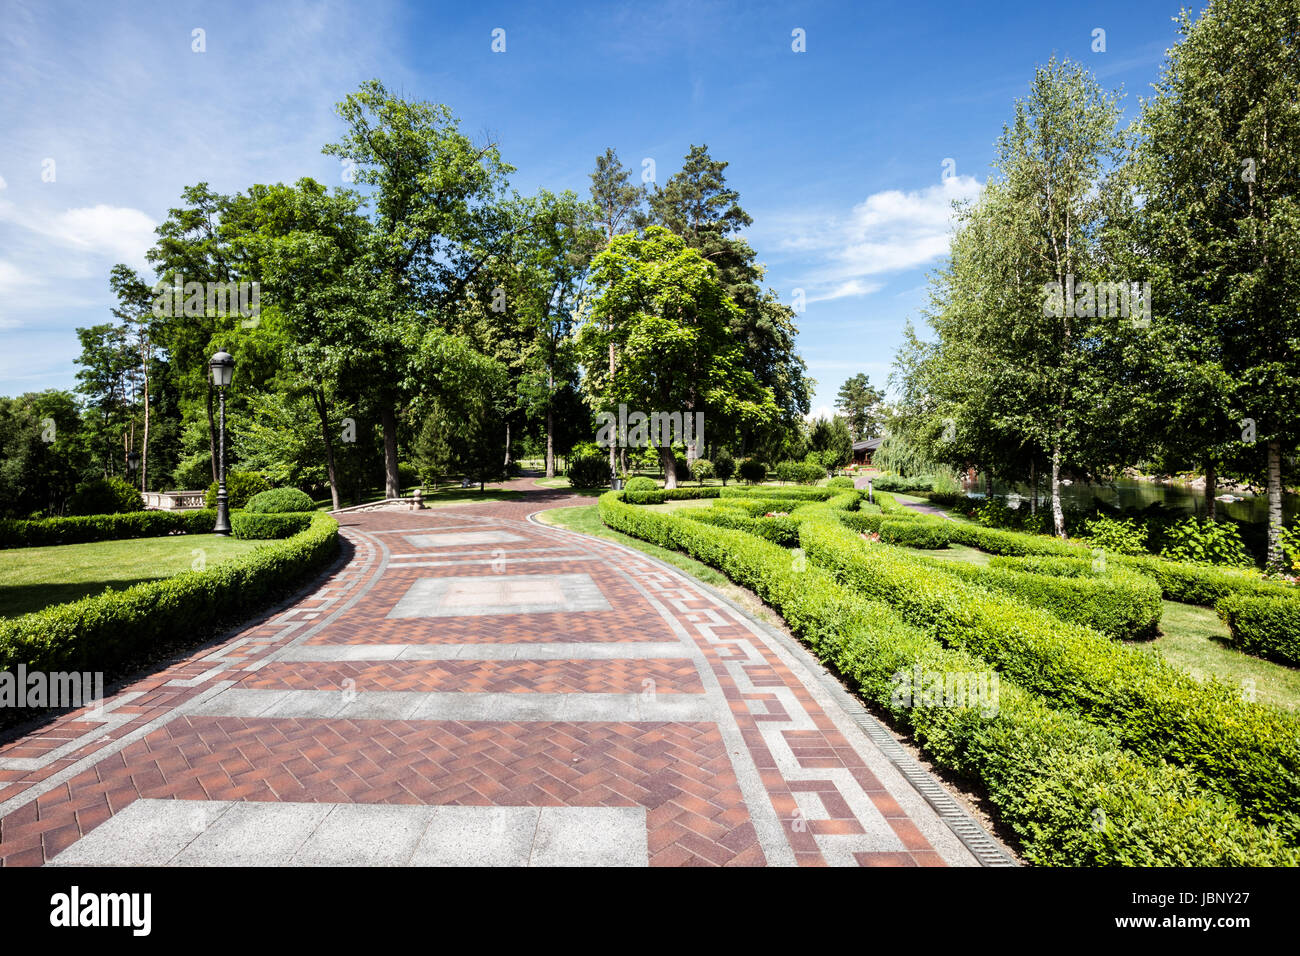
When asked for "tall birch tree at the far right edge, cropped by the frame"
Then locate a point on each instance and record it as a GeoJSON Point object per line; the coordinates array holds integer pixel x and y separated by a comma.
{"type": "Point", "coordinates": [1219, 168]}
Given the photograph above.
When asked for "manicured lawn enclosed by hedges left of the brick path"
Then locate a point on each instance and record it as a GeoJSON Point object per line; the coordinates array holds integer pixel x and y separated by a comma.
{"type": "Point", "coordinates": [36, 578]}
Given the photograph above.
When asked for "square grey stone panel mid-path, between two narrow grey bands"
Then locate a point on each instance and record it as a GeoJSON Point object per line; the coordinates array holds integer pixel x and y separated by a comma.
{"type": "Point", "coordinates": [482, 595]}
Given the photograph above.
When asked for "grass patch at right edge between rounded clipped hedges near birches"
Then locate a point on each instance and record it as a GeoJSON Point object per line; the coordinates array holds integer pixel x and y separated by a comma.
{"type": "Point", "coordinates": [1194, 639]}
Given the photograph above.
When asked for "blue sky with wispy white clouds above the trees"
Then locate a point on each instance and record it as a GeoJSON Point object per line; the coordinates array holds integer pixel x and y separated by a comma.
{"type": "Point", "coordinates": [838, 153]}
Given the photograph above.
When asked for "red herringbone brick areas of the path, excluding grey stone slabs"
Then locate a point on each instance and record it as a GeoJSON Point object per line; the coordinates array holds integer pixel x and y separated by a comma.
{"type": "Point", "coordinates": [681, 772]}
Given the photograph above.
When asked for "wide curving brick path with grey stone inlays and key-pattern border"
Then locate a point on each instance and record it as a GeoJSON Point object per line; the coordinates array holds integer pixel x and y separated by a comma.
{"type": "Point", "coordinates": [471, 687]}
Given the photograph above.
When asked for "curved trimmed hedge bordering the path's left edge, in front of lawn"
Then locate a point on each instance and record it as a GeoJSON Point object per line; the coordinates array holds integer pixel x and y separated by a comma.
{"type": "Point", "coordinates": [103, 633]}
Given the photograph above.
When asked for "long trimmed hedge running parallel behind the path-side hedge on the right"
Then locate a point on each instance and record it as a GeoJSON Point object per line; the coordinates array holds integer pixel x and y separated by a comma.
{"type": "Point", "coordinates": [1247, 752]}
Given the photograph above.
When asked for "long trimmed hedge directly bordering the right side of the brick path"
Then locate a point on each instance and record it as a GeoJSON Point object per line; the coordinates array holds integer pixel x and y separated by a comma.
{"type": "Point", "coordinates": [1050, 773]}
